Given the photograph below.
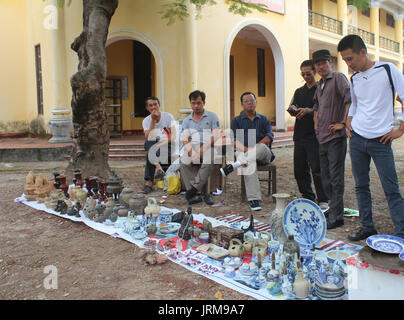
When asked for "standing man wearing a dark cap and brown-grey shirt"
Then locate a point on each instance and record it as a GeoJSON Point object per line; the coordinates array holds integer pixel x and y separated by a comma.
{"type": "Point", "coordinates": [331, 103]}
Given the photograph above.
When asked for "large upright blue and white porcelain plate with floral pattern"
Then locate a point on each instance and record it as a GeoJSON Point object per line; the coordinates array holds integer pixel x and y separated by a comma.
{"type": "Point", "coordinates": [305, 220]}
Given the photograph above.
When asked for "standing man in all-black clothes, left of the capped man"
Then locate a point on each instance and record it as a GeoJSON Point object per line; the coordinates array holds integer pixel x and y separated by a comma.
{"type": "Point", "coordinates": [306, 149]}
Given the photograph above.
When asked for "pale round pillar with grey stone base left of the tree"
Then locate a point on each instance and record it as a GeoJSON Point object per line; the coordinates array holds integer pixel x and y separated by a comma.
{"type": "Point", "coordinates": [61, 122]}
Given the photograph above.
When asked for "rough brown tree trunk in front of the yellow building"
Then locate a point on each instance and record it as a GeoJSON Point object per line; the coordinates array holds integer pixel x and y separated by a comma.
{"type": "Point", "coordinates": [91, 135]}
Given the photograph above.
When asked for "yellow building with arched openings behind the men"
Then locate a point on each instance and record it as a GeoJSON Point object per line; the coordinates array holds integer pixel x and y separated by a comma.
{"type": "Point", "coordinates": [221, 53]}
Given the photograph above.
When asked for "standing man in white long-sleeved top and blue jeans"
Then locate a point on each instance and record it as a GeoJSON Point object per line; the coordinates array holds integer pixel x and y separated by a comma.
{"type": "Point", "coordinates": [371, 132]}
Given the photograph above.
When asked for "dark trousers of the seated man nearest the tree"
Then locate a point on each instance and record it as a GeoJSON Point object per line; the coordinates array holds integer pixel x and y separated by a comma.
{"type": "Point", "coordinates": [163, 156]}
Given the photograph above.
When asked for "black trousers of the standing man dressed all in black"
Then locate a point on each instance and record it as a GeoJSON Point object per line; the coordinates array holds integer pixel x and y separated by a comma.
{"type": "Point", "coordinates": [306, 162]}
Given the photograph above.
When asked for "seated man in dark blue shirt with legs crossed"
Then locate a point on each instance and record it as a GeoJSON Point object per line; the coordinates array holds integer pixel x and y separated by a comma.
{"type": "Point", "coordinates": [252, 133]}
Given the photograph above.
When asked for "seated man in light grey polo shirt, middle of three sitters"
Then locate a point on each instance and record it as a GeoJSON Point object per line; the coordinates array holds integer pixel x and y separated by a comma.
{"type": "Point", "coordinates": [200, 130]}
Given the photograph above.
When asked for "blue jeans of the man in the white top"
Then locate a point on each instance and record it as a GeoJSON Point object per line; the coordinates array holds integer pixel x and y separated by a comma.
{"type": "Point", "coordinates": [362, 151]}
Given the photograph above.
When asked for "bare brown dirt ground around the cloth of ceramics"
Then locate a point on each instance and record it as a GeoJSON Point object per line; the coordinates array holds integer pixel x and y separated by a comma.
{"type": "Point", "coordinates": [91, 265]}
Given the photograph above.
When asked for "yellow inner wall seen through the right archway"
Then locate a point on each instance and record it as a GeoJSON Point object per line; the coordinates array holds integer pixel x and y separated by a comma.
{"type": "Point", "coordinates": [245, 77]}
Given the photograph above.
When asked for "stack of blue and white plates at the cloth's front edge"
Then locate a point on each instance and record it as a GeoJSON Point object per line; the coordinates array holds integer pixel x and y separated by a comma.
{"type": "Point", "coordinates": [329, 287]}
